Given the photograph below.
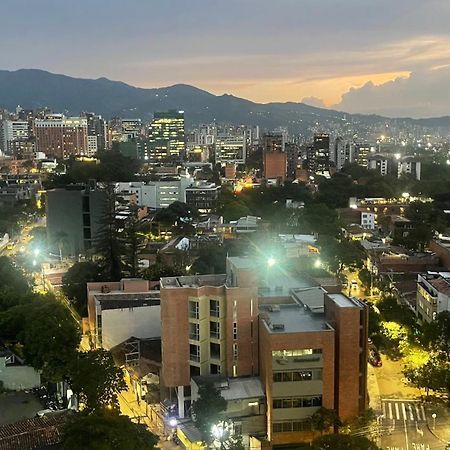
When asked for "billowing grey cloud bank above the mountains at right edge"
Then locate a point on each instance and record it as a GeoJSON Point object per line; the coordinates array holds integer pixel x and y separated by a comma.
{"type": "Point", "coordinates": [423, 94]}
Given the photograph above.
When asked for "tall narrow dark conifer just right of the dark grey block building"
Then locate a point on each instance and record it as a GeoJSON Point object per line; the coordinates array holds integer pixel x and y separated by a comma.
{"type": "Point", "coordinates": [107, 242]}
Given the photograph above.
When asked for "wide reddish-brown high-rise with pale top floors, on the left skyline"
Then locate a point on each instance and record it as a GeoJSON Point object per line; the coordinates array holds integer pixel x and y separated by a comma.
{"type": "Point", "coordinates": [61, 137]}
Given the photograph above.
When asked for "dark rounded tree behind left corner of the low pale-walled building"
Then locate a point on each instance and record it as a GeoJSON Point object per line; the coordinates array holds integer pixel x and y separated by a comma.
{"type": "Point", "coordinates": [74, 283]}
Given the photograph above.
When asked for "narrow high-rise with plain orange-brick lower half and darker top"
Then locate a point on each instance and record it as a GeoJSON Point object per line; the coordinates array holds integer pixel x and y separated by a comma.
{"type": "Point", "coordinates": [274, 157]}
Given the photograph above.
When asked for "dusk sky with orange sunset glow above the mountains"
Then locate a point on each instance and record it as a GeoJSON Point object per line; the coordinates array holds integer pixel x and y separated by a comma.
{"type": "Point", "coordinates": [385, 56]}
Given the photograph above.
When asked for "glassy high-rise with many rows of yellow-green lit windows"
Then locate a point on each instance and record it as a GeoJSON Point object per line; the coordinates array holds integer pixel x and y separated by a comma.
{"type": "Point", "coordinates": [167, 135]}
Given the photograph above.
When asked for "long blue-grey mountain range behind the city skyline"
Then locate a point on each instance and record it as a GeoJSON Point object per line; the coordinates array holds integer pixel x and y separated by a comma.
{"type": "Point", "coordinates": [32, 88]}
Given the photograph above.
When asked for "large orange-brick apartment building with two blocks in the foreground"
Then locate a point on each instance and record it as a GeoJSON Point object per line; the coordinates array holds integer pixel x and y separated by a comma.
{"type": "Point", "coordinates": [308, 347]}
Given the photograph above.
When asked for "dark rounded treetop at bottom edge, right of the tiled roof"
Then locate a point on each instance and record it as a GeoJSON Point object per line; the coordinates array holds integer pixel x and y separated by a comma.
{"type": "Point", "coordinates": [106, 430]}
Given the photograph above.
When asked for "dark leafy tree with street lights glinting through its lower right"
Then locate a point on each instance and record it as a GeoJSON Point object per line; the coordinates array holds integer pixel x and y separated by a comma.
{"type": "Point", "coordinates": [96, 380]}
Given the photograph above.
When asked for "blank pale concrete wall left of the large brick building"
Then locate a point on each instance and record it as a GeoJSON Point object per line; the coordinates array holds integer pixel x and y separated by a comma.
{"type": "Point", "coordinates": [120, 324]}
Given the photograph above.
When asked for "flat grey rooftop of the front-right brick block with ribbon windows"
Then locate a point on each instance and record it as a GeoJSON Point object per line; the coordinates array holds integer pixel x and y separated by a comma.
{"type": "Point", "coordinates": [291, 319]}
